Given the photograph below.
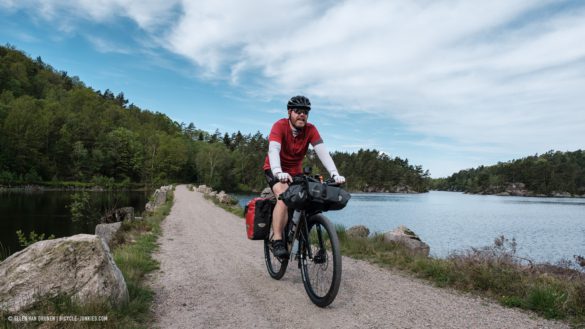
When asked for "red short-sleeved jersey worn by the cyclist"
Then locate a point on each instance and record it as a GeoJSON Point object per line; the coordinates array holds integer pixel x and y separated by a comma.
{"type": "Point", "coordinates": [293, 149]}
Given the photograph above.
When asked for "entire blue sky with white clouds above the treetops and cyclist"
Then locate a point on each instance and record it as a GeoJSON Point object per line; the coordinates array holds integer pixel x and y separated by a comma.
{"type": "Point", "coordinates": [449, 85]}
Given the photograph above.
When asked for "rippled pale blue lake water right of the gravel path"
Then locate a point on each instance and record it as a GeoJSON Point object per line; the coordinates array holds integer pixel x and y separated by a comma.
{"type": "Point", "coordinates": [545, 229]}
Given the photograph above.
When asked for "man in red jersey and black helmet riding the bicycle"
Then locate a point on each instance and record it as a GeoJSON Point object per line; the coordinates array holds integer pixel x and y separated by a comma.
{"type": "Point", "coordinates": [289, 141]}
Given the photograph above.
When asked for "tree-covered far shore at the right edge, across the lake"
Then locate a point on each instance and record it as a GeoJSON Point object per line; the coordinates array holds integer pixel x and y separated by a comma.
{"type": "Point", "coordinates": [545, 174]}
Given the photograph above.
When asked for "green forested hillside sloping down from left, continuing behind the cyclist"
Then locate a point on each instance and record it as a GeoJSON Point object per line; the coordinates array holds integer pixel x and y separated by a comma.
{"type": "Point", "coordinates": [54, 128]}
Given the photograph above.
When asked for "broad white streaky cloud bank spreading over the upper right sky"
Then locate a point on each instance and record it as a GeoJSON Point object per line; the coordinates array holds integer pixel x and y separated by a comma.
{"type": "Point", "coordinates": [486, 75]}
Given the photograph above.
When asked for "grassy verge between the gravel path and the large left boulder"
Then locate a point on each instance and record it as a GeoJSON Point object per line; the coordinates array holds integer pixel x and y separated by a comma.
{"type": "Point", "coordinates": [132, 249]}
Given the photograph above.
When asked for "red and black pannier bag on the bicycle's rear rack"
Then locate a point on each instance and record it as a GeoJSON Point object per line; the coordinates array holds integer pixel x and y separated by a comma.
{"type": "Point", "coordinates": [258, 214]}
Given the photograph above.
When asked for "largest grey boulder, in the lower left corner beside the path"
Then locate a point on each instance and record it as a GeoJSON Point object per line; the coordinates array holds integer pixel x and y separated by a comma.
{"type": "Point", "coordinates": [79, 266]}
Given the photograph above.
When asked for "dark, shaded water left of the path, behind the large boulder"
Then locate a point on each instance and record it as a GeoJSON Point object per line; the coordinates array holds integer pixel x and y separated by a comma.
{"type": "Point", "coordinates": [47, 212]}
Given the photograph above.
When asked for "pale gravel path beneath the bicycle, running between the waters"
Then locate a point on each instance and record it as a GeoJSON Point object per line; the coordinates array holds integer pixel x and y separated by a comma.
{"type": "Point", "coordinates": [212, 276]}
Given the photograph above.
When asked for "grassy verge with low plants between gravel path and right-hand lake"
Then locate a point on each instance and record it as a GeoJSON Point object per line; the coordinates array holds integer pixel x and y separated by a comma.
{"type": "Point", "coordinates": [554, 292]}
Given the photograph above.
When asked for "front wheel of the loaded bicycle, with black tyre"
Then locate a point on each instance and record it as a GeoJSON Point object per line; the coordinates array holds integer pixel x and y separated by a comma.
{"type": "Point", "coordinates": [321, 268]}
